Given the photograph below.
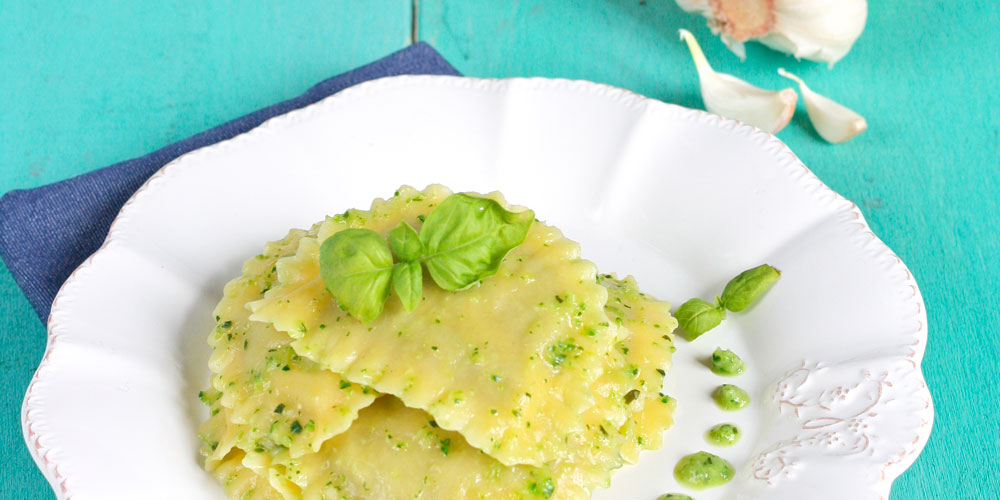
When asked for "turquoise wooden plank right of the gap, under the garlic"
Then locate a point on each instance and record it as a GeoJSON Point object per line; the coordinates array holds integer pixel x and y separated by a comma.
{"type": "Point", "coordinates": [926, 174]}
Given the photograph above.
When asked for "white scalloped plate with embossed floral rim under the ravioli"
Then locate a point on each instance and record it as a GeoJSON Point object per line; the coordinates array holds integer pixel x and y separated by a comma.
{"type": "Point", "coordinates": [679, 198]}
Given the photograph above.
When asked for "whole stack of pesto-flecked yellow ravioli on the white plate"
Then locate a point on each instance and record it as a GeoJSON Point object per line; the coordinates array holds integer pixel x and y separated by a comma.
{"type": "Point", "coordinates": [538, 382]}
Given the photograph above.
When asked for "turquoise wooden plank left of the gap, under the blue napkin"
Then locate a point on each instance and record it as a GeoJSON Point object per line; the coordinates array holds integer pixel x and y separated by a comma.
{"type": "Point", "coordinates": [86, 84]}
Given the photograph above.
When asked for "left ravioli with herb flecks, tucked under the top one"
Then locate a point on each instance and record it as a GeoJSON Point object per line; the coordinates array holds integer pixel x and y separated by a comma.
{"type": "Point", "coordinates": [277, 401]}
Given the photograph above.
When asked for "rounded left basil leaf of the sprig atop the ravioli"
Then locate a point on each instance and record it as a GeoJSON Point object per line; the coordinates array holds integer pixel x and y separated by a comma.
{"type": "Point", "coordinates": [356, 266]}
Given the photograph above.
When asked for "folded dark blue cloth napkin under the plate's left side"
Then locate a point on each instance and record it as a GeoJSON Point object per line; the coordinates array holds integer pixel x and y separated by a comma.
{"type": "Point", "coordinates": [46, 232]}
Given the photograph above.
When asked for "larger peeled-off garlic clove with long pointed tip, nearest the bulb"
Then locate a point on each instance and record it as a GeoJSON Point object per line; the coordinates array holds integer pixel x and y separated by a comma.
{"type": "Point", "coordinates": [734, 98]}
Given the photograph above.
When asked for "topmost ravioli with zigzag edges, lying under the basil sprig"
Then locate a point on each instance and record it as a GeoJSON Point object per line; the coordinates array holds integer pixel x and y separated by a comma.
{"type": "Point", "coordinates": [507, 363]}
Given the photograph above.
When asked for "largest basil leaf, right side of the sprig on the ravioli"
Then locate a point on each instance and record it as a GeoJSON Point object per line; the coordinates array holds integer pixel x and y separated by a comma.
{"type": "Point", "coordinates": [465, 239]}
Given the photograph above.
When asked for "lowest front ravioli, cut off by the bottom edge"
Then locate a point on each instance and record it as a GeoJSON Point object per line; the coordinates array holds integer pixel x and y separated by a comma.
{"type": "Point", "coordinates": [393, 451]}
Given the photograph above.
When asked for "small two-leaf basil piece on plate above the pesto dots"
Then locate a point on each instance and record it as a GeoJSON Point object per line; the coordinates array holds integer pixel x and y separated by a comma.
{"type": "Point", "coordinates": [697, 316]}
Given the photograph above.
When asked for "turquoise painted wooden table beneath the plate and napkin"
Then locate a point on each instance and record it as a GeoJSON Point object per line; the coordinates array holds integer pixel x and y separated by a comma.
{"type": "Point", "coordinates": [103, 81]}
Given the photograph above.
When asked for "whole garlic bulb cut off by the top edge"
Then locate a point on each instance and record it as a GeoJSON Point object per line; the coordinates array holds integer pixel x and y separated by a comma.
{"type": "Point", "coordinates": [818, 30]}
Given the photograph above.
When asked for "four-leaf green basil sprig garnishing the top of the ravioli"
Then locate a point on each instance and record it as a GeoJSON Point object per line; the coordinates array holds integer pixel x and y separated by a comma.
{"type": "Point", "coordinates": [462, 241]}
